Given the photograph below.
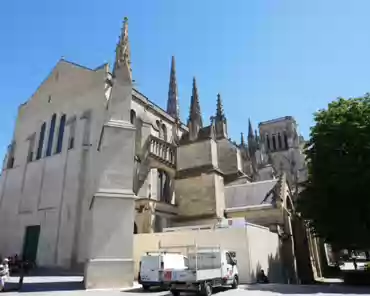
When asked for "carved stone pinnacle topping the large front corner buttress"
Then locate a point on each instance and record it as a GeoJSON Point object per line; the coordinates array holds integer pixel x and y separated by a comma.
{"type": "Point", "coordinates": [123, 53]}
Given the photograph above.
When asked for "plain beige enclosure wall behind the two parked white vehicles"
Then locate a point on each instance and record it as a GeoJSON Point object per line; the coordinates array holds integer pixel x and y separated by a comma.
{"type": "Point", "coordinates": [252, 241]}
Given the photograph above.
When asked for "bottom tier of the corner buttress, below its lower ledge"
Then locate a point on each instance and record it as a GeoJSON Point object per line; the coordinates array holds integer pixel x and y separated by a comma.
{"type": "Point", "coordinates": [111, 264]}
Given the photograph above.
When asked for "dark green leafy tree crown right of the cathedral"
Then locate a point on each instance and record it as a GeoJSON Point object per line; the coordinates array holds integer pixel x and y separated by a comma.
{"type": "Point", "coordinates": [336, 197]}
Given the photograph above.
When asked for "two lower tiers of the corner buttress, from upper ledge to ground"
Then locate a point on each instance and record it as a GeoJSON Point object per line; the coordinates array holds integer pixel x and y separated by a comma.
{"type": "Point", "coordinates": [110, 264]}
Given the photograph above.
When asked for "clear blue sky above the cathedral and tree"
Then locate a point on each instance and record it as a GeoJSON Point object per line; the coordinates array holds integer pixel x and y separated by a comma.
{"type": "Point", "coordinates": [267, 58]}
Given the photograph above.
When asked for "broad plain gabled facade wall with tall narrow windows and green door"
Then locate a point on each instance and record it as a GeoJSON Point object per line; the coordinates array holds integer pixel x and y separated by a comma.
{"type": "Point", "coordinates": [54, 191]}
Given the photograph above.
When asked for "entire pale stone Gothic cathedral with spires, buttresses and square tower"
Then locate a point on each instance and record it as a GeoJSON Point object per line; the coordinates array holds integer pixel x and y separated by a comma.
{"type": "Point", "coordinates": [92, 158]}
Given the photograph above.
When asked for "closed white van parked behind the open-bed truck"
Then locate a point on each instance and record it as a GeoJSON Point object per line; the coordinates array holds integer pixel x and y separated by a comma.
{"type": "Point", "coordinates": [152, 266]}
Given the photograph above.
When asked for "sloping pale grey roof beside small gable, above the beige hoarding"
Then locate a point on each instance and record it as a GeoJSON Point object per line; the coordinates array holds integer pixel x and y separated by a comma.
{"type": "Point", "coordinates": [249, 194]}
